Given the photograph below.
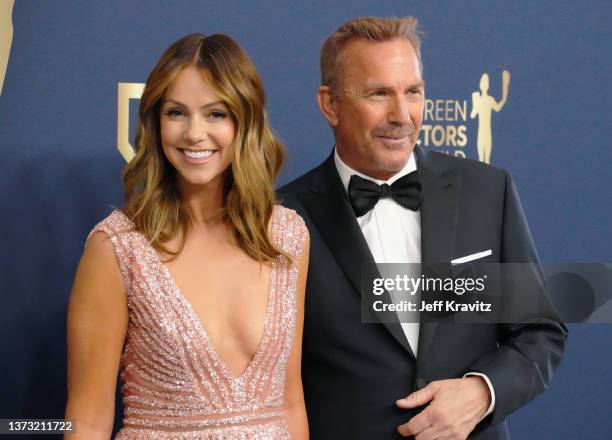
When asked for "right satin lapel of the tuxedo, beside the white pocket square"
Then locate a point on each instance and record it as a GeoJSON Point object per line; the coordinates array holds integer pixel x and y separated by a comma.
{"type": "Point", "coordinates": [440, 191]}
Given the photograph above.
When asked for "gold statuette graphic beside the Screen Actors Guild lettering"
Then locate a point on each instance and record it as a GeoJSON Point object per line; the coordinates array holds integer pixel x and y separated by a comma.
{"type": "Point", "coordinates": [482, 106]}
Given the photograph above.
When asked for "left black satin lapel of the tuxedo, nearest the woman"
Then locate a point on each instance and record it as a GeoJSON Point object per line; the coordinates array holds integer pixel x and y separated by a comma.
{"type": "Point", "coordinates": [330, 210]}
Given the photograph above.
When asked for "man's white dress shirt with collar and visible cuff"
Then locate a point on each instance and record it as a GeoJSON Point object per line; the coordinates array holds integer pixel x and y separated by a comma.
{"type": "Point", "coordinates": [393, 234]}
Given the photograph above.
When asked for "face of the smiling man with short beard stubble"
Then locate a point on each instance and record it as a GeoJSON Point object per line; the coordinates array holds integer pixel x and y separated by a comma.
{"type": "Point", "coordinates": [377, 112]}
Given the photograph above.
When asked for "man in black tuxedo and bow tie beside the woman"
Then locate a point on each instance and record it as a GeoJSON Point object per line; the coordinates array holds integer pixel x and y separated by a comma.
{"type": "Point", "coordinates": [392, 380]}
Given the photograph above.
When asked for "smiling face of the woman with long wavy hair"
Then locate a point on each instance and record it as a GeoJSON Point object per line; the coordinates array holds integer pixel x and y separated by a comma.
{"type": "Point", "coordinates": [196, 130]}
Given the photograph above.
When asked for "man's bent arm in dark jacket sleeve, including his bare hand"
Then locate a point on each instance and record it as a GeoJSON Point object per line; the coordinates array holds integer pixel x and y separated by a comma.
{"type": "Point", "coordinates": [521, 367]}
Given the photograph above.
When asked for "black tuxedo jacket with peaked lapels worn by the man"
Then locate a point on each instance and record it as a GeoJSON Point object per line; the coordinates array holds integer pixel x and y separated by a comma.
{"type": "Point", "coordinates": [353, 372]}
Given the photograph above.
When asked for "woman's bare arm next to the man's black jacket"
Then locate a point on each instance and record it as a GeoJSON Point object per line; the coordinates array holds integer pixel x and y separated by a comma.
{"type": "Point", "coordinates": [295, 410]}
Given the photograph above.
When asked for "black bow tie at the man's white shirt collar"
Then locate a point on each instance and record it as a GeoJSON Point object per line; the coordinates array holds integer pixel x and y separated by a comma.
{"type": "Point", "coordinates": [364, 194]}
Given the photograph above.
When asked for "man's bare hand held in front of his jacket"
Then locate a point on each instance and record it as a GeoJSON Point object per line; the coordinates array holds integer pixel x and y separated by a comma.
{"type": "Point", "coordinates": [455, 407]}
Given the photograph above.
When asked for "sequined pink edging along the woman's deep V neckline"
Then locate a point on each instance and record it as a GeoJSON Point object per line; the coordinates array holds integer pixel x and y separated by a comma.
{"type": "Point", "coordinates": [199, 324]}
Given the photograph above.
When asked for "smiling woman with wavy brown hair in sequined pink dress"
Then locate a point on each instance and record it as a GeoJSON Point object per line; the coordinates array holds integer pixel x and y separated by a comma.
{"type": "Point", "coordinates": [195, 290]}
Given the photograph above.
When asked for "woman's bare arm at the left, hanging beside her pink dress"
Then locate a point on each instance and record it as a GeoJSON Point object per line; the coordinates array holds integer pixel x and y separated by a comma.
{"type": "Point", "coordinates": [97, 324]}
